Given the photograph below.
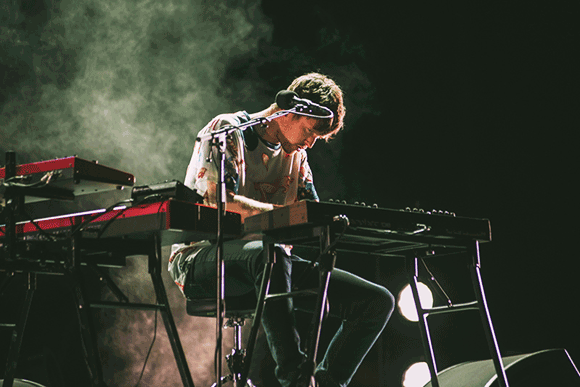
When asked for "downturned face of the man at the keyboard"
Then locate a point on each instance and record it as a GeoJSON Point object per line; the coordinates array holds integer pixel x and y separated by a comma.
{"type": "Point", "coordinates": [296, 133]}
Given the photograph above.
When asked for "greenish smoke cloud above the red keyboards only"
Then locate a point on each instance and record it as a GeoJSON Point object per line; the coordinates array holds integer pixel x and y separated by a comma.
{"type": "Point", "coordinates": [125, 82]}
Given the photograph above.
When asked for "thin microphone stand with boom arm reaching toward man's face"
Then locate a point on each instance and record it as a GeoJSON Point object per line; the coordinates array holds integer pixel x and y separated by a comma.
{"type": "Point", "coordinates": [218, 140]}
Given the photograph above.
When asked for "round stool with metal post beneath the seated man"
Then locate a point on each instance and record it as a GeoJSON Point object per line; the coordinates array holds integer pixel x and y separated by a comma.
{"type": "Point", "coordinates": [238, 309]}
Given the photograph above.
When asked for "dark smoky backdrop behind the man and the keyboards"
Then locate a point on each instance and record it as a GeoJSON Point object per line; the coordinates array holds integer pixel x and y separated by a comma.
{"type": "Point", "coordinates": [461, 107]}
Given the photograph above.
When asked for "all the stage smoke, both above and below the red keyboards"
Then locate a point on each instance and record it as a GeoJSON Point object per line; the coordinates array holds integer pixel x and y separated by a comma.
{"type": "Point", "coordinates": [128, 83]}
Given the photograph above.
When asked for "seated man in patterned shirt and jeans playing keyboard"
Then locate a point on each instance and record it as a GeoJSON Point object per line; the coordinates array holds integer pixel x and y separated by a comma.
{"type": "Point", "coordinates": [266, 167]}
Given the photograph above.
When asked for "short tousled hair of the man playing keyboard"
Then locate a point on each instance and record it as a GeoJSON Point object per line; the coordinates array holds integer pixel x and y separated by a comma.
{"type": "Point", "coordinates": [322, 90]}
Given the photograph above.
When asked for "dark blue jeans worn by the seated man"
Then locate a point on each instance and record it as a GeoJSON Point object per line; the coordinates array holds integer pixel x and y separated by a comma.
{"type": "Point", "coordinates": [363, 306]}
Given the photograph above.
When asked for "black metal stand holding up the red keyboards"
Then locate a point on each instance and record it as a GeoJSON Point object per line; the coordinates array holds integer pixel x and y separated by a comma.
{"type": "Point", "coordinates": [70, 269]}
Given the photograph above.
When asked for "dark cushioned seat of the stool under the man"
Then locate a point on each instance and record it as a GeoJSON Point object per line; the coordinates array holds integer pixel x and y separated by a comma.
{"type": "Point", "coordinates": [238, 306]}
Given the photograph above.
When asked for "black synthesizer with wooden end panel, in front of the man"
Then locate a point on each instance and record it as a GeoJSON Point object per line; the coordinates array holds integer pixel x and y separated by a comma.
{"type": "Point", "coordinates": [373, 230]}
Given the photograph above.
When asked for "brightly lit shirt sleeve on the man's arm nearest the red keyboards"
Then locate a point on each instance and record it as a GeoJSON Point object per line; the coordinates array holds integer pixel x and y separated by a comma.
{"type": "Point", "coordinates": [202, 170]}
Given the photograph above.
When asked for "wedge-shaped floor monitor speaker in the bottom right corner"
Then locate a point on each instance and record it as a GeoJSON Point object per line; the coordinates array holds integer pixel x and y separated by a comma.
{"type": "Point", "coordinates": [550, 367]}
